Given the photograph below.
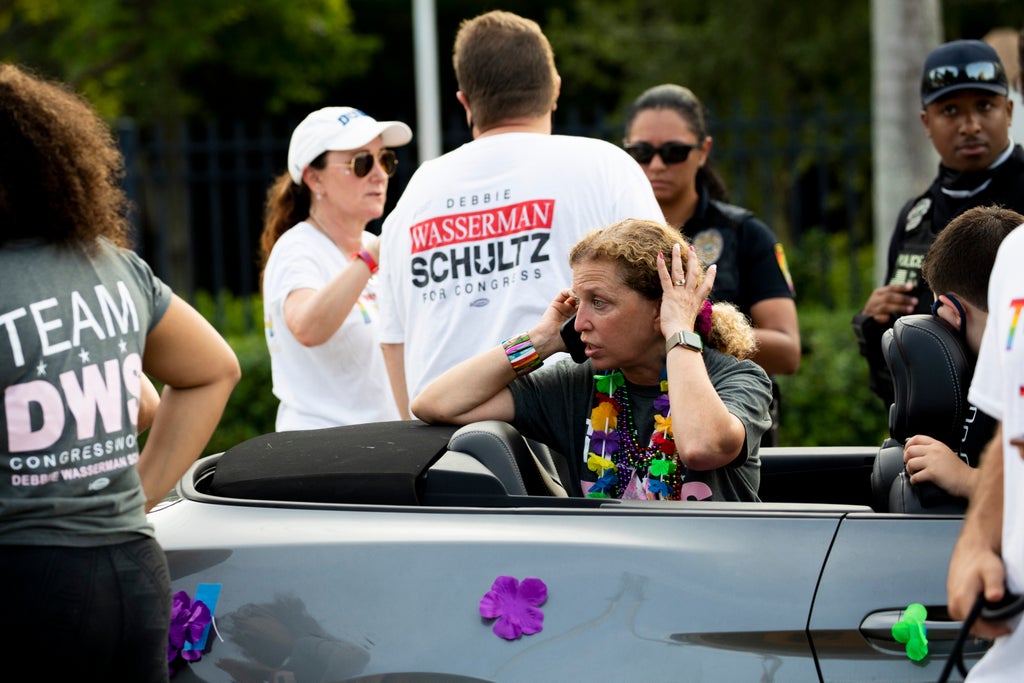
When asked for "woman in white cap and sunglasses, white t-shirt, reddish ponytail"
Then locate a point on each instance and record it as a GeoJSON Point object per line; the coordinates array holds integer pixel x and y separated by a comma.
{"type": "Point", "coordinates": [320, 303]}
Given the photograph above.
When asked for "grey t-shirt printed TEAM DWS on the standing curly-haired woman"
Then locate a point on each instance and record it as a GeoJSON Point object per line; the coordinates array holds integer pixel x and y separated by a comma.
{"type": "Point", "coordinates": [73, 328]}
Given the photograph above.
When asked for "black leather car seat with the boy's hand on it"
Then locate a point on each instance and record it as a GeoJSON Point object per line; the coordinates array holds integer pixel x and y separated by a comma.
{"type": "Point", "coordinates": [932, 369]}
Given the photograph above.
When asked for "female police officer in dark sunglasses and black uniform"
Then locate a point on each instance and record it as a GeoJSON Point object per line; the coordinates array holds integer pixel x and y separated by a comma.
{"type": "Point", "coordinates": [667, 135]}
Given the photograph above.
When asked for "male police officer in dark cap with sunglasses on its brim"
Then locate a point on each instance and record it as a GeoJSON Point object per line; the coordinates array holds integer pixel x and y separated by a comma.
{"type": "Point", "coordinates": [967, 115]}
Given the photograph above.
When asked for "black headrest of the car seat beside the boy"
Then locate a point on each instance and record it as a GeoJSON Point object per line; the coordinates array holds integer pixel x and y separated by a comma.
{"type": "Point", "coordinates": [931, 367]}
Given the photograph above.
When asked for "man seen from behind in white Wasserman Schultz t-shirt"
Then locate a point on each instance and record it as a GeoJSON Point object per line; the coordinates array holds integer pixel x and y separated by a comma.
{"type": "Point", "coordinates": [479, 243]}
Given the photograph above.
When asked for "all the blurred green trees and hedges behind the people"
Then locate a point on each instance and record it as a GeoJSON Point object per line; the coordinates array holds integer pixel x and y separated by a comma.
{"type": "Point", "coordinates": [156, 66]}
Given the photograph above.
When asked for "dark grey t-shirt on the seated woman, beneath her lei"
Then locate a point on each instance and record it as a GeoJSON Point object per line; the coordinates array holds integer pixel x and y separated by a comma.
{"type": "Point", "coordinates": [552, 406]}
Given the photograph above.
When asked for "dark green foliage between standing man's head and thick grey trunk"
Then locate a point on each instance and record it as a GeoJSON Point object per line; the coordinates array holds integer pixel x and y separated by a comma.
{"type": "Point", "coordinates": [747, 52]}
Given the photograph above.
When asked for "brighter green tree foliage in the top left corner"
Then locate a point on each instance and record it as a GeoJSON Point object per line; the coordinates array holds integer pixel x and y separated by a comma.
{"type": "Point", "coordinates": [159, 61]}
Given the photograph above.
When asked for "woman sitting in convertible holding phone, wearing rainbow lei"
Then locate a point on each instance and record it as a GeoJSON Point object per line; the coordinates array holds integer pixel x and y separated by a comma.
{"type": "Point", "coordinates": [642, 418]}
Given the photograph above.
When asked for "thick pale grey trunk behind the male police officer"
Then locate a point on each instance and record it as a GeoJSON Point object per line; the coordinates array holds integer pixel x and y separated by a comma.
{"type": "Point", "coordinates": [904, 32]}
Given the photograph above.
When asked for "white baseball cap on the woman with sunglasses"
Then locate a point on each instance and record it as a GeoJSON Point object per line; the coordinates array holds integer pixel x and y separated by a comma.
{"type": "Point", "coordinates": [334, 129]}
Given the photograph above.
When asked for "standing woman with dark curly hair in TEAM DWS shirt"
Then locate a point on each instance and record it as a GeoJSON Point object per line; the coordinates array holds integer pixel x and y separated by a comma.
{"type": "Point", "coordinates": [83, 319]}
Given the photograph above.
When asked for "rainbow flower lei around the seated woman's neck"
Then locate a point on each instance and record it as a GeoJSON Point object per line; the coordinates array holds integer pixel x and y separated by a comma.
{"type": "Point", "coordinates": [613, 451]}
